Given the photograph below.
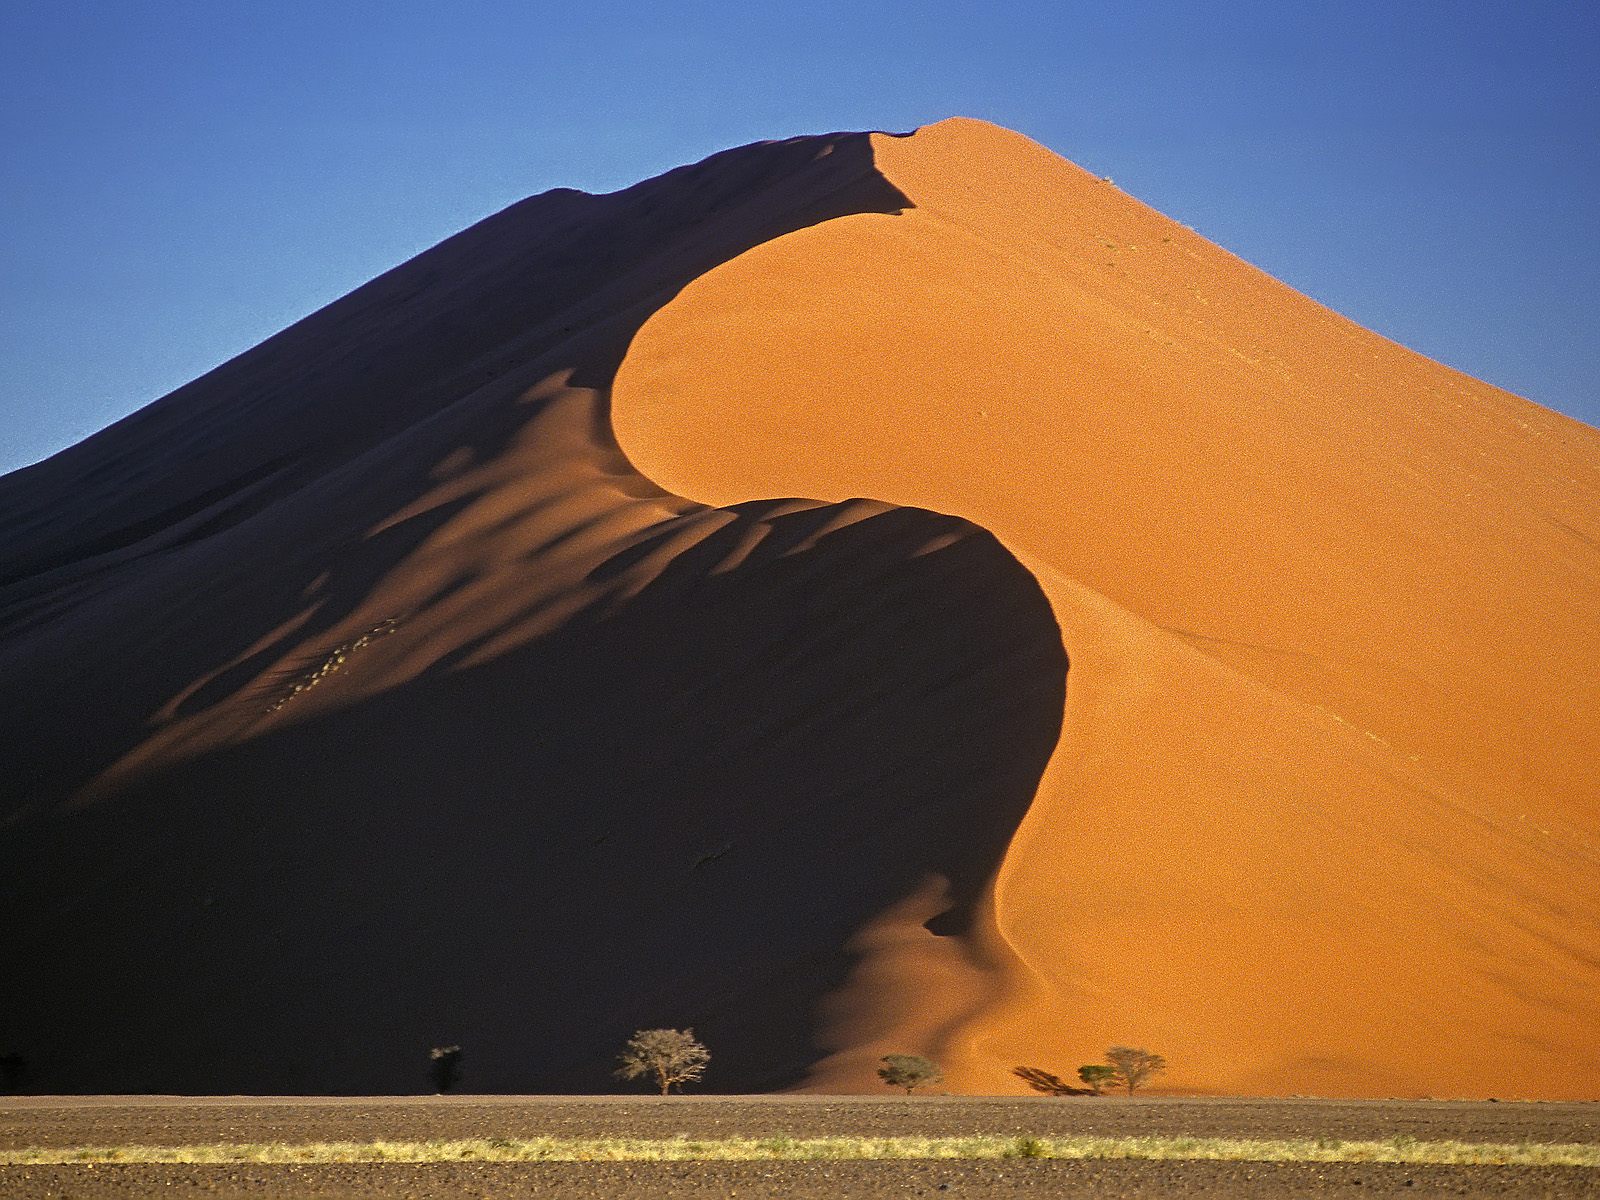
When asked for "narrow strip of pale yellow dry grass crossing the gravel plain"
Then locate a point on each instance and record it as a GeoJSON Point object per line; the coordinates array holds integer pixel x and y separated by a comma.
{"type": "Point", "coordinates": [806, 1150]}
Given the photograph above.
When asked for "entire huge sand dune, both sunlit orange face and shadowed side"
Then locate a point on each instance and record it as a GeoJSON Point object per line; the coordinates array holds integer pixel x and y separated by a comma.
{"type": "Point", "coordinates": [446, 670]}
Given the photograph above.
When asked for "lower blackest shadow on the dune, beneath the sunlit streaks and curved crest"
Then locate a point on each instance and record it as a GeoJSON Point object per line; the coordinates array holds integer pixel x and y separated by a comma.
{"type": "Point", "coordinates": [674, 815]}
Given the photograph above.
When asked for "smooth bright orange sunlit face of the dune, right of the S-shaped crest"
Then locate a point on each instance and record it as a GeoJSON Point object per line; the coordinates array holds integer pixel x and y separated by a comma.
{"type": "Point", "coordinates": [1326, 812]}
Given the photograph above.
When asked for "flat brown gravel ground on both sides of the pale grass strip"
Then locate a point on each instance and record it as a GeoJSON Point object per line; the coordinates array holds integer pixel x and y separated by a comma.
{"type": "Point", "coordinates": [142, 1121]}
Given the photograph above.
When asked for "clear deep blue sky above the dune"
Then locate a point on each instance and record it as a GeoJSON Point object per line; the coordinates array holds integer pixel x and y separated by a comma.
{"type": "Point", "coordinates": [180, 180]}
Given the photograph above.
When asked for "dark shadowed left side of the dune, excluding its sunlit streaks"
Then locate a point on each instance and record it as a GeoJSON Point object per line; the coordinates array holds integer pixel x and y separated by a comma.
{"type": "Point", "coordinates": [676, 810]}
